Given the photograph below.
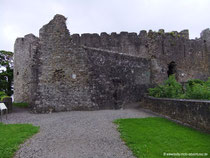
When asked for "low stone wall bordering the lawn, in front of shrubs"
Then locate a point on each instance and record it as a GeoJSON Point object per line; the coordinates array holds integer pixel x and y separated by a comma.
{"type": "Point", "coordinates": [195, 113]}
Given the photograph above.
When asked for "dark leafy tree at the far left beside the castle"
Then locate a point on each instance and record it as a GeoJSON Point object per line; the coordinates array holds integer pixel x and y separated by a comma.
{"type": "Point", "coordinates": [6, 72]}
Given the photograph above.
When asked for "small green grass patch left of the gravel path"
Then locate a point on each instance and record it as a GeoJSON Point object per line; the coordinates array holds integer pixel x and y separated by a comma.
{"type": "Point", "coordinates": [12, 135]}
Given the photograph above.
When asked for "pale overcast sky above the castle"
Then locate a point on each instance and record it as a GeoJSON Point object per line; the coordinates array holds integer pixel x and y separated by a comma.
{"type": "Point", "coordinates": [21, 17]}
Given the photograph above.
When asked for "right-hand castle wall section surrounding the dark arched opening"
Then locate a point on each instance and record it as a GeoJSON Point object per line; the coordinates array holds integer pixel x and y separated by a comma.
{"type": "Point", "coordinates": [189, 56]}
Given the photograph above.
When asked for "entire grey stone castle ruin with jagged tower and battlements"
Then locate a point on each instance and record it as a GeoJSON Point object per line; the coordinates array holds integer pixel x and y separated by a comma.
{"type": "Point", "coordinates": [60, 72]}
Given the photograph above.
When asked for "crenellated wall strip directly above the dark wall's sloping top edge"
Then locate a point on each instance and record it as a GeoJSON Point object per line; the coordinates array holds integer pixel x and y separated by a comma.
{"type": "Point", "coordinates": [127, 43]}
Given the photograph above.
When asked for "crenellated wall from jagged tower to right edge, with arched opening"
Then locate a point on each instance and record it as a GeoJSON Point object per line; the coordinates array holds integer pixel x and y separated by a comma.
{"type": "Point", "coordinates": [190, 56]}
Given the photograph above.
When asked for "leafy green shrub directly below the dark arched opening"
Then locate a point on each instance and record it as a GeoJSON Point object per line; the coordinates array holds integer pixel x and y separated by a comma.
{"type": "Point", "coordinates": [170, 89]}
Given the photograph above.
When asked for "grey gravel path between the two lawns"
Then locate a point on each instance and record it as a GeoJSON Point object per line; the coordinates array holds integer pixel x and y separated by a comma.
{"type": "Point", "coordinates": [77, 134]}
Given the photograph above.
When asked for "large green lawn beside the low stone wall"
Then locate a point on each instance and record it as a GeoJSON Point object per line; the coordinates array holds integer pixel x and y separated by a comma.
{"type": "Point", "coordinates": [154, 136]}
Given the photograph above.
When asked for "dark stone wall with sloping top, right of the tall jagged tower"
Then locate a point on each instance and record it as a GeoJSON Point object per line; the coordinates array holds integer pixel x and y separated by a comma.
{"type": "Point", "coordinates": [116, 79]}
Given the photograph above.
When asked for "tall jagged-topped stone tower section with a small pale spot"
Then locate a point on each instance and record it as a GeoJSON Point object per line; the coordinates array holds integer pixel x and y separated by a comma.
{"type": "Point", "coordinates": [62, 75]}
